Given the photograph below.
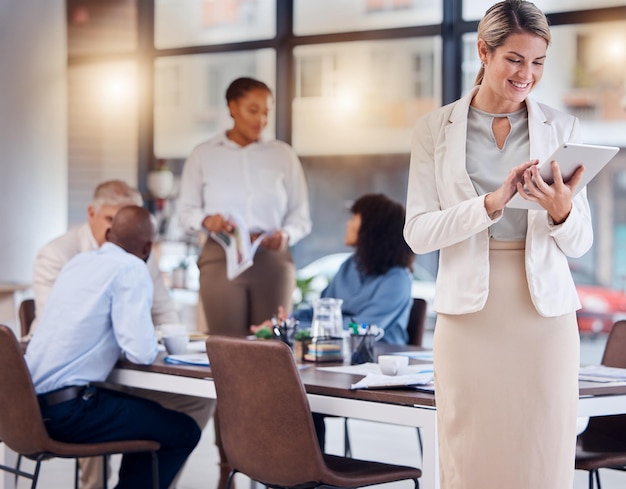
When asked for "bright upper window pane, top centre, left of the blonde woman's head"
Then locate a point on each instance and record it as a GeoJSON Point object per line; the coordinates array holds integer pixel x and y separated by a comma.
{"type": "Point", "coordinates": [323, 16]}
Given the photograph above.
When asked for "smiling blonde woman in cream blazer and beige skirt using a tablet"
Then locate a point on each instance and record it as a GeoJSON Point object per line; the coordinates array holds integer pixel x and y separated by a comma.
{"type": "Point", "coordinates": [506, 346]}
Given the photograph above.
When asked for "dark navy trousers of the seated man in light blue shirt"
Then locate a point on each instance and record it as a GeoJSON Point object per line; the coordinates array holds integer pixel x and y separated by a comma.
{"type": "Point", "coordinates": [102, 415]}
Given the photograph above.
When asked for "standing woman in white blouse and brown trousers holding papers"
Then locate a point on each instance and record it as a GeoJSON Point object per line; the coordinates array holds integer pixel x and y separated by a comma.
{"type": "Point", "coordinates": [237, 173]}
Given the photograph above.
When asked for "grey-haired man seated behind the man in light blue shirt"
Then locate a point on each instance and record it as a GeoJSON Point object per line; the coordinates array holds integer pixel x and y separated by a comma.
{"type": "Point", "coordinates": [109, 197]}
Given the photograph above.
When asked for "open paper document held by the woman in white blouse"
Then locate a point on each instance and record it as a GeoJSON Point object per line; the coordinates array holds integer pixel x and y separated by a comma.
{"type": "Point", "coordinates": [237, 246]}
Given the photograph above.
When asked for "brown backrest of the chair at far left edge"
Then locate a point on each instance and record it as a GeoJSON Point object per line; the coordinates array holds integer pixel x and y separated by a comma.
{"type": "Point", "coordinates": [21, 425]}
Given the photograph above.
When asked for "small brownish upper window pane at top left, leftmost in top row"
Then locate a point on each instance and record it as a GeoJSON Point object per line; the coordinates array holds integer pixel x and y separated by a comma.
{"type": "Point", "coordinates": [101, 26]}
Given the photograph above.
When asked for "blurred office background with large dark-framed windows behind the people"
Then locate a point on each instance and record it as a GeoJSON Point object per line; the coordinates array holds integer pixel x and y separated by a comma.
{"type": "Point", "coordinates": [101, 89]}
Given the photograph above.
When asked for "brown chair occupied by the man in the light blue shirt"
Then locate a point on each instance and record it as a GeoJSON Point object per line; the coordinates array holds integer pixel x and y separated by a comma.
{"type": "Point", "coordinates": [22, 428]}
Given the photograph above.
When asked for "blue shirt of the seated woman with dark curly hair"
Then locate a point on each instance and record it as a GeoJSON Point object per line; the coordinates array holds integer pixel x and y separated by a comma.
{"type": "Point", "coordinates": [384, 300]}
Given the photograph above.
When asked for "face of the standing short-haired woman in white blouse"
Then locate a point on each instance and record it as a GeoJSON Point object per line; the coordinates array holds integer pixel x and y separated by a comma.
{"type": "Point", "coordinates": [250, 113]}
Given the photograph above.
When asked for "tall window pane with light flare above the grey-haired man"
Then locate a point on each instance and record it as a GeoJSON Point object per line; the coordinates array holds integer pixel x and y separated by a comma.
{"type": "Point", "coordinates": [102, 131]}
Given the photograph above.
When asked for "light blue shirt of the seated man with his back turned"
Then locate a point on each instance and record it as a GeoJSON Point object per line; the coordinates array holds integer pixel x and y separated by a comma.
{"type": "Point", "coordinates": [99, 308]}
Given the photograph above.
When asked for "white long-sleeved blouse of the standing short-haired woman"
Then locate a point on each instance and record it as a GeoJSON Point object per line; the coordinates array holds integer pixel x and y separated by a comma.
{"type": "Point", "coordinates": [262, 182]}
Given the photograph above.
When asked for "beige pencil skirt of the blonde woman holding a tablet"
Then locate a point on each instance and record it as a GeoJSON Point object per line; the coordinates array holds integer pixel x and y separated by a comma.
{"type": "Point", "coordinates": [506, 383]}
